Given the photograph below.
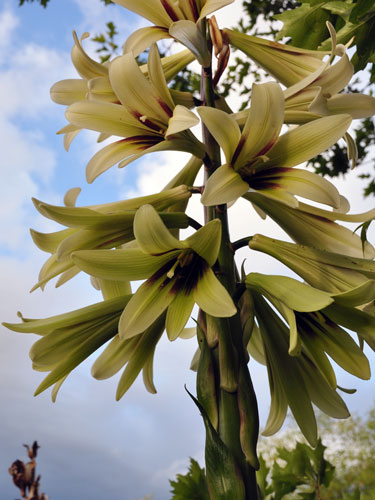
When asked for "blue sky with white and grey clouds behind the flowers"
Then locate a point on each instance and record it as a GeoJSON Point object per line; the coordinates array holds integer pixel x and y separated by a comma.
{"type": "Point", "coordinates": [91, 446]}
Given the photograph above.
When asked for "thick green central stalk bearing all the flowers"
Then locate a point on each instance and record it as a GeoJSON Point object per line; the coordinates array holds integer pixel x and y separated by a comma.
{"type": "Point", "coordinates": [236, 402]}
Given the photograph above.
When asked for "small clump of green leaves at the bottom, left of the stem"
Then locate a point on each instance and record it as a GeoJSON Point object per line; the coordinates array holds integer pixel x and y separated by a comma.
{"type": "Point", "coordinates": [192, 485]}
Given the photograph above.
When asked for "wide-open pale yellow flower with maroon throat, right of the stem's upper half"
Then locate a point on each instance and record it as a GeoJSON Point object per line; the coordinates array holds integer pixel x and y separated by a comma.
{"type": "Point", "coordinates": [258, 159]}
